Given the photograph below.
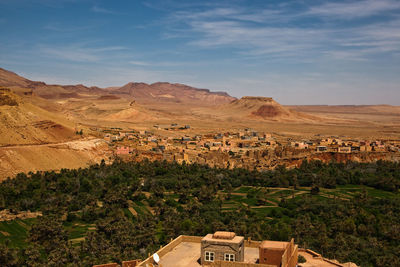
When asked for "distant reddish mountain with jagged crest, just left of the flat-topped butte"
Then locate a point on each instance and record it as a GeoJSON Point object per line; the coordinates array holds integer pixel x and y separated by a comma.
{"type": "Point", "coordinates": [171, 93]}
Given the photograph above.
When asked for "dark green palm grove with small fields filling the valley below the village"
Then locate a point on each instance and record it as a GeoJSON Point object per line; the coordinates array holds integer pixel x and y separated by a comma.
{"type": "Point", "coordinates": [362, 226]}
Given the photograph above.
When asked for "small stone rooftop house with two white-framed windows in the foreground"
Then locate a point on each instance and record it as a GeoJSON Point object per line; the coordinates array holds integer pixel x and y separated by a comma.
{"type": "Point", "coordinates": [222, 246]}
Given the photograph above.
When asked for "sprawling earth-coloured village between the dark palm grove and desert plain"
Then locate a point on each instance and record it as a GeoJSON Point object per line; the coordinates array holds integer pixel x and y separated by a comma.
{"type": "Point", "coordinates": [245, 148]}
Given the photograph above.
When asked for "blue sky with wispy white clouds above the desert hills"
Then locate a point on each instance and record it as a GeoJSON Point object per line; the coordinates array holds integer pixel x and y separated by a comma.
{"type": "Point", "coordinates": [298, 52]}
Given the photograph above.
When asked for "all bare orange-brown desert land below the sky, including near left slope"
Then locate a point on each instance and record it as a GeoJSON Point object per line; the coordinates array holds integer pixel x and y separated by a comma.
{"type": "Point", "coordinates": [49, 127]}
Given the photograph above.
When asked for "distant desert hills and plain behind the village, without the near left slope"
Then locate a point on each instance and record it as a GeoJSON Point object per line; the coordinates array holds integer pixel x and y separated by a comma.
{"type": "Point", "coordinates": [162, 102]}
